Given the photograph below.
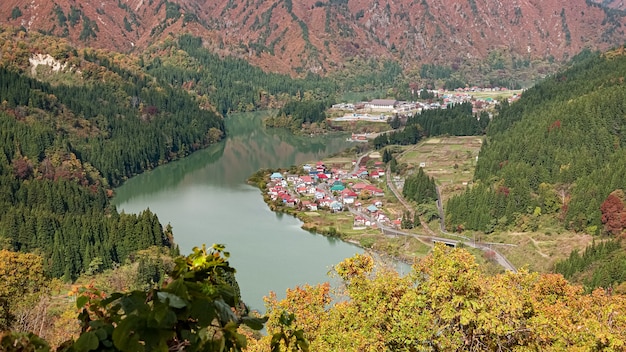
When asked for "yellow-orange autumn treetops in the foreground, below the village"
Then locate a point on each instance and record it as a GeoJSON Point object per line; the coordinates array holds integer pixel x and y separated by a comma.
{"type": "Point", "coordinates": [447, 304]}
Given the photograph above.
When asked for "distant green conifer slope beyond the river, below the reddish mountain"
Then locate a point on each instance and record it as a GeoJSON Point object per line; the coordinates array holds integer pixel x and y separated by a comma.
{"type": "Point", "coordinates": [229, 84]}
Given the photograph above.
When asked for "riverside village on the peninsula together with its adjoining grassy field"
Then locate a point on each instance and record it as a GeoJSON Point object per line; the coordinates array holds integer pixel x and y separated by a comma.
{"type": "Point", "coordinates": [360, 201]}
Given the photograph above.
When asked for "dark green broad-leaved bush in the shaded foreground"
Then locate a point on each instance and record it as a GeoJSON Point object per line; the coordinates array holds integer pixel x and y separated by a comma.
{"type": "Point", "coordinates": [196, 309]}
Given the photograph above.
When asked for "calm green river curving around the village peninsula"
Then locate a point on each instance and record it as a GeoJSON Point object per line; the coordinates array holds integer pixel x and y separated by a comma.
{"type": "Point", "coordinates": [206, 200]}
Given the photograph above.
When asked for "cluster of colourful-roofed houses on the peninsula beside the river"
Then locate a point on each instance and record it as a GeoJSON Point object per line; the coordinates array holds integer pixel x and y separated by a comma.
{"type": "Point", "coordinates": [335, 190]}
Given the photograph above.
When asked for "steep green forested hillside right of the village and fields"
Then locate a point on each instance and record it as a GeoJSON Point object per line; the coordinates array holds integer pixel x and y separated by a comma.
{"type": "Point", "coordinates": [559, 151]}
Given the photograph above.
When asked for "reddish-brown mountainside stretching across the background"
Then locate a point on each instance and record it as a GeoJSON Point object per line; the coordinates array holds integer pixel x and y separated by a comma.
{"type": "Point", "coordinates": [322, 35]}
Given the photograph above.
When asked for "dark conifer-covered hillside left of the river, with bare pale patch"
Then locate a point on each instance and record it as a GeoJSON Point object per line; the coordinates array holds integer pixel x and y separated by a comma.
{"type": "Point", "coordinates": [67, 135]}
